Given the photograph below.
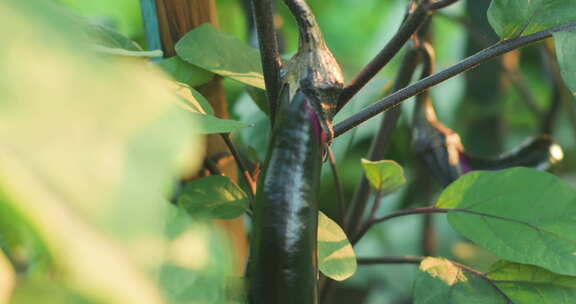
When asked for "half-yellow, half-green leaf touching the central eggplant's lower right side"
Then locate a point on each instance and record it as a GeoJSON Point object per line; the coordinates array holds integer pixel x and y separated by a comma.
{"type": "Point", "coordinates": [336, 258]}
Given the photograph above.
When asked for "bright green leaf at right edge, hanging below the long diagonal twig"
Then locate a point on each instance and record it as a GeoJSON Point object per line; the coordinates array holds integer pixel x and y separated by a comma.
{"type": "Point", "coordinates": [565, 43]}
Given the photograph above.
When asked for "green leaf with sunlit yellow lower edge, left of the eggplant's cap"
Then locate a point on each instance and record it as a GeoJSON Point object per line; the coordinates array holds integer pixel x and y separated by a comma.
{"type": "Point", "coordinates": [221, 54]}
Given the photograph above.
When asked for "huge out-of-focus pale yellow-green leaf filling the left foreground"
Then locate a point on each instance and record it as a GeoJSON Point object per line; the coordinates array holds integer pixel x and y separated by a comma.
{"type": "Point", "coordinates": [89, 145]}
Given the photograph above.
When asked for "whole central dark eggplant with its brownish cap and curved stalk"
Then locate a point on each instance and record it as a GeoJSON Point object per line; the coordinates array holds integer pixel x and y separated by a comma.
{"type": "Point", "coordinates": [283, 264]}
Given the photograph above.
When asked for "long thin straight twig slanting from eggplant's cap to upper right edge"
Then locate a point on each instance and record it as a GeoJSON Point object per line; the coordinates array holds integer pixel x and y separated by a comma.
{"type": "Point", "coordinates": [399, 96]}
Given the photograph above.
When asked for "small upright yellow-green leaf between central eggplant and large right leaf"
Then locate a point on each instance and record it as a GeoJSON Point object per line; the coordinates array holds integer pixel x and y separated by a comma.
{"type": "Point", "coordinates": [385, 175]}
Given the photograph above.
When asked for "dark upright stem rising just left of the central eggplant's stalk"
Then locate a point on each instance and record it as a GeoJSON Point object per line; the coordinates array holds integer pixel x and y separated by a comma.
{"type": "Point", "coordinates": [269, 55]}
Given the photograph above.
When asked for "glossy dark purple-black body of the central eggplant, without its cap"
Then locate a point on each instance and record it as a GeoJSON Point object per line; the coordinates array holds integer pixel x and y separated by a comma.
{"type": "Point", "coordinates": [283, 258]}
